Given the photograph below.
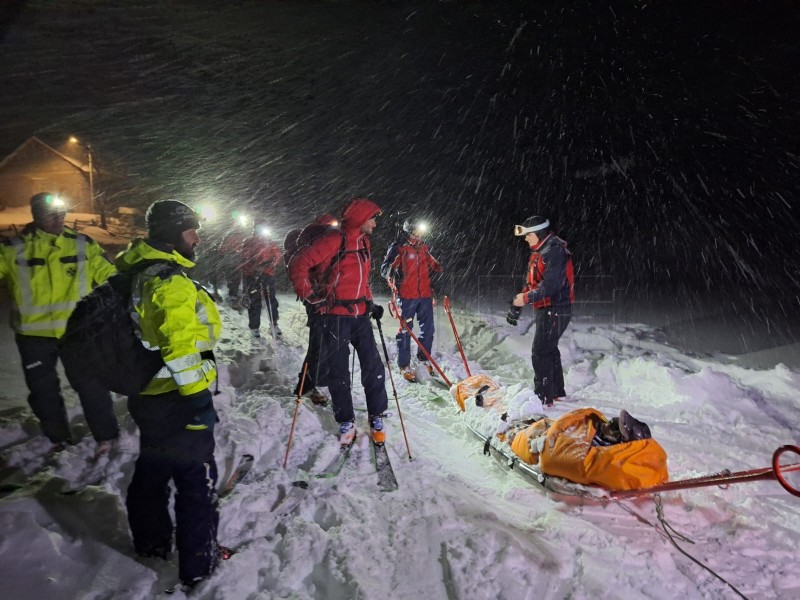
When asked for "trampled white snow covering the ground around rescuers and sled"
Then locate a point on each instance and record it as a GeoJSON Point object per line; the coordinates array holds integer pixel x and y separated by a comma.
{"type": "Point", "coordinates": [461, 525]}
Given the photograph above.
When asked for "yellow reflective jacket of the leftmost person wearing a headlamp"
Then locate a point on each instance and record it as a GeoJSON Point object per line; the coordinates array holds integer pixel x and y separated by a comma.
{"type": "Point", "coordinates": [47, 274]}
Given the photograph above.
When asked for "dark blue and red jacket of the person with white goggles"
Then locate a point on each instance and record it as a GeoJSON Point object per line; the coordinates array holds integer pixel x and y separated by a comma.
{"type": "Point", "coordinates": [551, 277]}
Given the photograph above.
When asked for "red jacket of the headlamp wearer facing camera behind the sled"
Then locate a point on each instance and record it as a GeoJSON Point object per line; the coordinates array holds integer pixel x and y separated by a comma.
{"type": "Point", "coordinates": [407, 266]}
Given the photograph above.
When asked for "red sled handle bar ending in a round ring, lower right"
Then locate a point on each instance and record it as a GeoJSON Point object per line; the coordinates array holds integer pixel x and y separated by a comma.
{"type": "Point", "coordinates": [776, 471]}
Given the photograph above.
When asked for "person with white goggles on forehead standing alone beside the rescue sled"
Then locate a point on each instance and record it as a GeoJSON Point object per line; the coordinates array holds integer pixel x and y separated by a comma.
{"type": "Point", "coordinates": [550, 288]}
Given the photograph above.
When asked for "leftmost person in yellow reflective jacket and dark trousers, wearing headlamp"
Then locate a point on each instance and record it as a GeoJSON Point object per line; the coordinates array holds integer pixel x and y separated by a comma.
{"type": "Point", "coordinates": [48, 267]}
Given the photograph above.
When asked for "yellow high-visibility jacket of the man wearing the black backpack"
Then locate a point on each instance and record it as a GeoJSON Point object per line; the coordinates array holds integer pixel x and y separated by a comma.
{"type": "Point", "coordinates": [175, 315]}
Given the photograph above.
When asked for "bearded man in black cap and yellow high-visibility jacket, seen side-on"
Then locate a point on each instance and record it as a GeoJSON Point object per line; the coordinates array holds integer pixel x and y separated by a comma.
{"type": "Point", "coordinates": [175, 412]}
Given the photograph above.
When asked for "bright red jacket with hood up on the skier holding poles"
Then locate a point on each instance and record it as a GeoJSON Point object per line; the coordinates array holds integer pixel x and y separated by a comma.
{"type": "Point", "coordinates": [335, 268]}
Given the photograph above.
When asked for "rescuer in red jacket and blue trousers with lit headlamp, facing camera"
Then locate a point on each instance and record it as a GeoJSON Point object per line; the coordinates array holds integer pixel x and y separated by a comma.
{"type": "Point", "coordinates": [407, 267]}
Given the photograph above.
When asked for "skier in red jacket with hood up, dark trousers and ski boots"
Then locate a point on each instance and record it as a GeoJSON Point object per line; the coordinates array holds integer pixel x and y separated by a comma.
{"type": "Point", "coordinates": [332, 276]}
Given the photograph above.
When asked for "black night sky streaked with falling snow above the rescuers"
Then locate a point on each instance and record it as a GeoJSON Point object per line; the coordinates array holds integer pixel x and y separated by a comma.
{"type": "Point", "coordinates": [661, 138]}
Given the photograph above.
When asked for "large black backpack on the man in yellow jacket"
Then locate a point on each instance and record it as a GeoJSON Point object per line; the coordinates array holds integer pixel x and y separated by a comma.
{"type": "Point", "coordinates": [100, 342]}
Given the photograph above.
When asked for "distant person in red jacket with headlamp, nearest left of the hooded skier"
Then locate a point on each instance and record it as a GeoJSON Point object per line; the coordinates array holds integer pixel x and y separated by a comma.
{"type": "Point", "coordinates": [260, 256]}
